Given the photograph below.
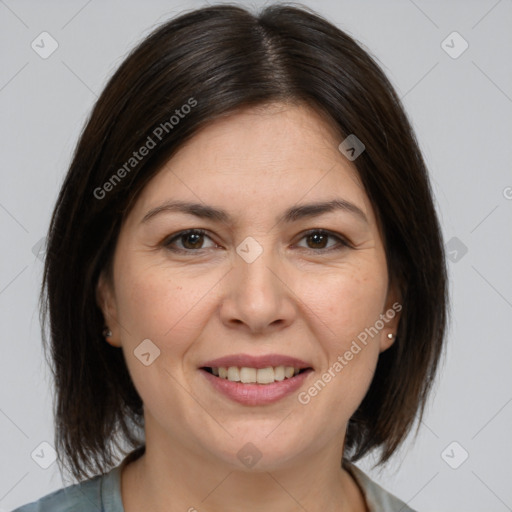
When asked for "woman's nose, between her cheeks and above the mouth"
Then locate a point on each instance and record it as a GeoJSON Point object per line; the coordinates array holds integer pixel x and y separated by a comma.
{"type": "Point", "coordinates": [257, 296]}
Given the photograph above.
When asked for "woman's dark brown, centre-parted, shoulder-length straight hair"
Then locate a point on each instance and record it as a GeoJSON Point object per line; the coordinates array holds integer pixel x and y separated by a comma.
{"type": "Point", "coordinates": [218, 60]}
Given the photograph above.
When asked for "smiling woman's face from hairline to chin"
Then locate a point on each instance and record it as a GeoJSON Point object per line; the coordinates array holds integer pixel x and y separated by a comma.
{"type": "Point", "coordinates": [265, 283]}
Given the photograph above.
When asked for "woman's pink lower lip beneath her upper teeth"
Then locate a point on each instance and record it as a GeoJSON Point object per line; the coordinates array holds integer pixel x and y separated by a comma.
{"type": "Point", "coordinates": [257, 394]}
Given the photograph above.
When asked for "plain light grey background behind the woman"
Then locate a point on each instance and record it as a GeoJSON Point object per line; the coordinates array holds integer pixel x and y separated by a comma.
{"type": "Point", "coordinates": [461, 109]}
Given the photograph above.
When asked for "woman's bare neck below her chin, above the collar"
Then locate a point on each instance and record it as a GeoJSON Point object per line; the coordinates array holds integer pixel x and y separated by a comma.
{"type": "Point", "coordinates": [170, 476]}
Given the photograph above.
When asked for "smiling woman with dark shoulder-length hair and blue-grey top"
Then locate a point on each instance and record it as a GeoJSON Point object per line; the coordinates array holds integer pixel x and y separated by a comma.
{"type": "Point", "coordinates": [245, 277]}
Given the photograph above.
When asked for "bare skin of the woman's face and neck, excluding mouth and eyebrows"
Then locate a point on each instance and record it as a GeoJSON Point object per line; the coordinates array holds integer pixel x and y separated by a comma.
{"type": "Point", "coordinates": [297, 298]}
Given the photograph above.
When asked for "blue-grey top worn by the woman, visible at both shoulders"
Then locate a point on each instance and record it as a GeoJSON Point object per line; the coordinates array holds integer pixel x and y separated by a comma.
{"type": "Point", "coordinates": [103, 494]}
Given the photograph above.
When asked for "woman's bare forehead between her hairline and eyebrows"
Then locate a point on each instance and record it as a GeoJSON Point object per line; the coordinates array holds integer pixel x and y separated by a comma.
{"type": "Point", "coordinates": [263, 157]}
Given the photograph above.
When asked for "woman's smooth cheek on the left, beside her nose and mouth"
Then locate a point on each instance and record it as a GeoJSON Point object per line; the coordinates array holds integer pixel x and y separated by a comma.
{"type": "Point", "coordinates": [166, 309]}
